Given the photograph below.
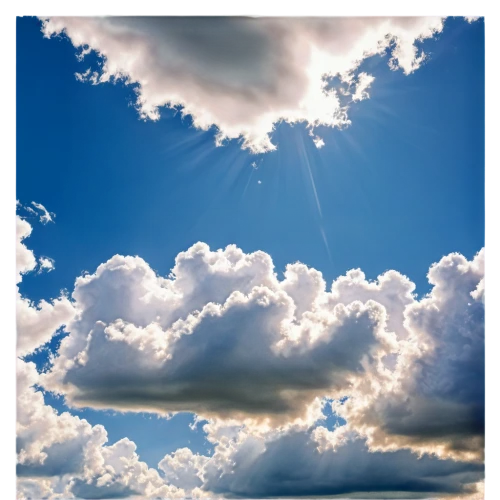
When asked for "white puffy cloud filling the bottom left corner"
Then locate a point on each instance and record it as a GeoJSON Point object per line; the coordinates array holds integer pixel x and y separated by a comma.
{"type": "Point", "coordinates": [60, 451]}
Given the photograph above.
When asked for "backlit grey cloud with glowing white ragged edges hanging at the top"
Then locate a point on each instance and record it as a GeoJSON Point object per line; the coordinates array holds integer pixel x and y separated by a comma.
{"type": "Point", "coordinates": [277, 68]}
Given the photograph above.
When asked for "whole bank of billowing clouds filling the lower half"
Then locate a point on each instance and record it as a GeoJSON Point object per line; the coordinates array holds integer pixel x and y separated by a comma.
{"type": "Point", "coordinates": [258, 359]}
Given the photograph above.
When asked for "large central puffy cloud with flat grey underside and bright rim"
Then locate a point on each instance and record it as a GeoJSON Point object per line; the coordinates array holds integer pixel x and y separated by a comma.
{"type": "Point", "coordinates": [221, 335]}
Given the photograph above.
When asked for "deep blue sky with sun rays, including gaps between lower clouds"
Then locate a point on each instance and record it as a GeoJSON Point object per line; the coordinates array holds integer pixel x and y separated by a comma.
{"type": "Point", "coordinates": [400, 187]}
